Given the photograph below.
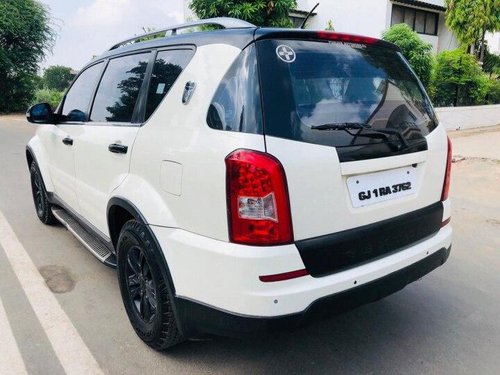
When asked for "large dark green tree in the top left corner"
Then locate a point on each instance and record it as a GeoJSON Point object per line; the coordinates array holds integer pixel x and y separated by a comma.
{"type": "Point", "coordinates": [25, 37]}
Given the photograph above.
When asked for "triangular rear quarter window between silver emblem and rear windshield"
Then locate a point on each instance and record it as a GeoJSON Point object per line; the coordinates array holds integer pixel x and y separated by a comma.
{"type": "Point", "coordinates": [236, 105]}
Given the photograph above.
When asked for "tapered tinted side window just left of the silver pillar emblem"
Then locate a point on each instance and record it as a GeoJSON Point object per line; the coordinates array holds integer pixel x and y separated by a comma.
{"type": "Point", "coordinates": [168, 66]}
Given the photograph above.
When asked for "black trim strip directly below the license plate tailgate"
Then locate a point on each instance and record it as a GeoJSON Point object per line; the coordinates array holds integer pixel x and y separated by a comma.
{"type": "Point", "coordinates": [336, 252]}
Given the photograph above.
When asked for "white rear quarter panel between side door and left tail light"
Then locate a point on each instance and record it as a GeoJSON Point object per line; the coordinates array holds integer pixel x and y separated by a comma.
{"type": "Point", "coordinates": [177, 173]}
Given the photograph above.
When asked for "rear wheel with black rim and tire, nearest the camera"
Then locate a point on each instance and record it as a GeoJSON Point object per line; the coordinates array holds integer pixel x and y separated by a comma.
{"type": "Point", "coordinates": [145, 293]}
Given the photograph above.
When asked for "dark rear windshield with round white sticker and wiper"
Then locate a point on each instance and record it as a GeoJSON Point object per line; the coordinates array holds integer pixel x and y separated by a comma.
{"type": "Point", "coordinates": [362, 99]}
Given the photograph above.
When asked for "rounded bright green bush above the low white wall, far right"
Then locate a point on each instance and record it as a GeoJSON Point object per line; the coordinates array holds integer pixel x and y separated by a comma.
{"type": "Point", "coordinates": [458, 80]}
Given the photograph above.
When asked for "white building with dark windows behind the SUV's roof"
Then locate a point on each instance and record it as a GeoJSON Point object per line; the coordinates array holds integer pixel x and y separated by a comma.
{"type": "Point", "coordinates": [372, 17]}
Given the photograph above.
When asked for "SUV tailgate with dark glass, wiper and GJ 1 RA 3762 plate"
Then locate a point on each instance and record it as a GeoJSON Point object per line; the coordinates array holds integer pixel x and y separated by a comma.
{"type": "Point", "coordinates": [355, 133]}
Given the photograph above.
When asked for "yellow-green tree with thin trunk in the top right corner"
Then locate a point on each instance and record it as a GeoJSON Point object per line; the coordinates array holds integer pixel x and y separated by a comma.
{"type": "Point", "coordinates": [472, 19]}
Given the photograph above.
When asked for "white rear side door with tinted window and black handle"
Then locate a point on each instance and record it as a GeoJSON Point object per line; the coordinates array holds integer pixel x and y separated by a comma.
{"type": "Point", "coordinates": [104, 145]}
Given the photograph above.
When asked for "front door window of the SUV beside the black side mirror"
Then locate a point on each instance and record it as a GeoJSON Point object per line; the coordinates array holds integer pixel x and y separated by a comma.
{"type": "Point", "coordinates": [77, 101]}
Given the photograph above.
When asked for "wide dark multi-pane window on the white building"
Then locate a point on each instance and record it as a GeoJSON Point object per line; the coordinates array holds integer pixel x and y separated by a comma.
{"type": "Point", "coordinates": [421, 21]}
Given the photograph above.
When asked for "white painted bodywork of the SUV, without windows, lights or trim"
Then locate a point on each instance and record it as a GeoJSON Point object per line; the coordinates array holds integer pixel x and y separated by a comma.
{"type": "Point", "coordinates": [174, 173]}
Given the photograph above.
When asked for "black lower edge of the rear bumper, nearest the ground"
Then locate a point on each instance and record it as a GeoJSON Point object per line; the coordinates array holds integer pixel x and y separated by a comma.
{"type": "Point", "coordinates": [198, 319]}
